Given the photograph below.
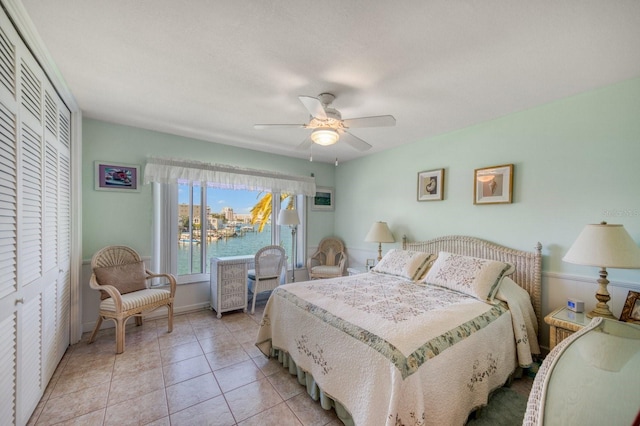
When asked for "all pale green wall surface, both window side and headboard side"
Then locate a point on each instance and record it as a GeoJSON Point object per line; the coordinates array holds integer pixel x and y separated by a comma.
{"type": "Point", "coordinates": [576, 162]}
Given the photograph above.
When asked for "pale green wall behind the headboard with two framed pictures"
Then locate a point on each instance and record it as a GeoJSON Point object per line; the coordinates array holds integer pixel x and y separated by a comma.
{"type": "Point", "coordinates": [576, 162]}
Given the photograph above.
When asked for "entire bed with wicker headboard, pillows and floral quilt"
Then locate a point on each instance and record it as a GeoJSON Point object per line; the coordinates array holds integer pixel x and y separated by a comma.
{"type": "Point", "coordinates": [389, 347]}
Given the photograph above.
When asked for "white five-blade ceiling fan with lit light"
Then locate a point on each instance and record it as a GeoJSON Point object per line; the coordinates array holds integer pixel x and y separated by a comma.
{"type": "Point", "coordinates": [328, 125]}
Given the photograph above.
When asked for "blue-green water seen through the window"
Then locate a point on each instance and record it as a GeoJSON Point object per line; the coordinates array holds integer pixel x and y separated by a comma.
{"type": "Point", "coordinates": [246, 243]}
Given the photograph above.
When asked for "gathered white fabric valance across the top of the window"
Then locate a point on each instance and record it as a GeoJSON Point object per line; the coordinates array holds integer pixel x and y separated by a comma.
{"type": "Point", "coordinates": [162, 170]}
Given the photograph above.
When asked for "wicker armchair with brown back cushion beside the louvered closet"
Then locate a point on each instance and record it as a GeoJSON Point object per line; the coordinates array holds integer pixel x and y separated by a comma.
{"type": "Point", "coordinates": [120, 276]}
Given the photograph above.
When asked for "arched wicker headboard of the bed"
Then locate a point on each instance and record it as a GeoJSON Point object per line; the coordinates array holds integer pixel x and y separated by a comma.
{"type": "Point", "coordinates": [528, 265]}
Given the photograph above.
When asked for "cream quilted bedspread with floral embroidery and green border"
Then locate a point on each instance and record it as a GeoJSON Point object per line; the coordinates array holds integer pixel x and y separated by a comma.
{"type": "Point", "coordinates": [392, 351]}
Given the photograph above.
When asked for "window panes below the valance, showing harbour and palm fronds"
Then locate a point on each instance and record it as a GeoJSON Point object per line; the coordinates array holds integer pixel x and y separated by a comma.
{"type": "Point", "coordinates": [212, 222]}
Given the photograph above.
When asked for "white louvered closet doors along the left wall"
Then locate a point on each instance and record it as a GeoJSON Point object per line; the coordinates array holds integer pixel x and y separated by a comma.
{"type": "Point", "coordinates": [35, 214]}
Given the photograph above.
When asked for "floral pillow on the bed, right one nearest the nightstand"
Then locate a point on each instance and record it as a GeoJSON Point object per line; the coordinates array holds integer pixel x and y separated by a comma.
{"type": "Point", "coordinates": [476, 277]}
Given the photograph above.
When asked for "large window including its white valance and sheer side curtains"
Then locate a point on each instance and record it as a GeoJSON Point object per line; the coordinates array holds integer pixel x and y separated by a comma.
{"type": "Point", "coordinates": [185, 212]}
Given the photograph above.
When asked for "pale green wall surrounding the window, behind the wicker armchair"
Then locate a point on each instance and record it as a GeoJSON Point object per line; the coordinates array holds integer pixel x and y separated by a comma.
{"type": "Point", "coordinates": [126, 218]}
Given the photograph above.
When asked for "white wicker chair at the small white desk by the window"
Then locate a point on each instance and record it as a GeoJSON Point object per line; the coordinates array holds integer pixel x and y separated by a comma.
{"type": "Point", "coordinates": [269, 263]}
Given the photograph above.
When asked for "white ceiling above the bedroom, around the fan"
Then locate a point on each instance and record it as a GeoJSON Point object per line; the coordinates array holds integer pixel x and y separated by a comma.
{"type": "Point", "coordinates": [211, 69]}
